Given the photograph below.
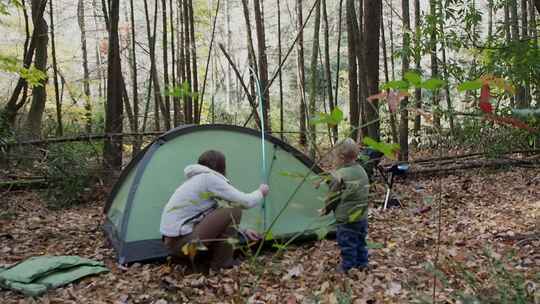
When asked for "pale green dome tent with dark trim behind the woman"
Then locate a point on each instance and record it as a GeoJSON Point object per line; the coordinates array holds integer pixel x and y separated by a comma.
{"type": "Point", "coordinates": [136, 202]}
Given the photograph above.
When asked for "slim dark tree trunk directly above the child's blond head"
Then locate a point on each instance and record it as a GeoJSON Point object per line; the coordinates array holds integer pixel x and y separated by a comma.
{"type": "Point", "coordinates": [352, 35]}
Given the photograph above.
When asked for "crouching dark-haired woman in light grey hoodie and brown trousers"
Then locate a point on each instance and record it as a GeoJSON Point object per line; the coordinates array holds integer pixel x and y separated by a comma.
{"type": "Point", "coordinates": [192, 213]}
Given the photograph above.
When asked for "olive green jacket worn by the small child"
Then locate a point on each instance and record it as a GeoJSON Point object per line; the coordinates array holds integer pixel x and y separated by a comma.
{"type": "Point", "coordinates": [349, 192]}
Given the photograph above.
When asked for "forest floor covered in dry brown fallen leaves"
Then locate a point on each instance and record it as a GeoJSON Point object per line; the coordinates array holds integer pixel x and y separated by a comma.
{"type": "Point", "coordinates": [481, 211]}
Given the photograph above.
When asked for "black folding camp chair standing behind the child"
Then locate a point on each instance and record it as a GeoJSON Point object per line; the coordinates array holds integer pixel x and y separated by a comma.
{"type": "Point", "coordinates": [370, 159]}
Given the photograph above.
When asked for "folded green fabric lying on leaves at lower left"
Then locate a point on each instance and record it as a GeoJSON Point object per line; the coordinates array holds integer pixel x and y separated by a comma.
{"type": "Point", "coordinates": [36, 275]}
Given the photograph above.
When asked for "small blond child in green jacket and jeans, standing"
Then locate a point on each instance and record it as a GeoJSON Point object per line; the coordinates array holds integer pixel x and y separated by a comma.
{"type": "Point", "coordinates": [348, 199]}
